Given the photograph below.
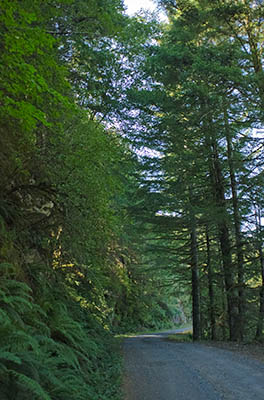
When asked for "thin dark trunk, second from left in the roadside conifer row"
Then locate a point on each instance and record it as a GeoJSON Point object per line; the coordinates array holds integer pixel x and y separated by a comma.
{"type": "Point", "coordinates": [210, 288]}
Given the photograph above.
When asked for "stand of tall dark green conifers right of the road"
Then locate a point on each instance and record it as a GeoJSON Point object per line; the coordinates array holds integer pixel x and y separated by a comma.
{"type": "Point", "coordinates": [196, 107]}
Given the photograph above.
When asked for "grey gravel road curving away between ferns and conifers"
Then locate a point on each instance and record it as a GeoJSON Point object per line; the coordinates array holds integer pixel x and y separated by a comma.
{"type": "Point", "coordinates": [157, 369]}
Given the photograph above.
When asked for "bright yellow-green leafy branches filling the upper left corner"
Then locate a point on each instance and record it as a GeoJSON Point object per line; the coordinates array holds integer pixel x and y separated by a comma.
{"type": "Point", "coordinates": [29, 93]}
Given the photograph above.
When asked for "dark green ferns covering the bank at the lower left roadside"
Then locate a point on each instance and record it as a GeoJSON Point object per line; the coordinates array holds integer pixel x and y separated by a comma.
{"type": "Point", "coordinates": [51, 354]}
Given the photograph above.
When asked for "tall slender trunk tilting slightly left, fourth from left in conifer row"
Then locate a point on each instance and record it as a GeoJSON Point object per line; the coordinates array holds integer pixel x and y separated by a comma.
{"type": "Point", "coordinates": [237, 224]}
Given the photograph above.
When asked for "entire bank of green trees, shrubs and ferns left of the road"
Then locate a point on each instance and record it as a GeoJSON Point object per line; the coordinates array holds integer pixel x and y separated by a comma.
{"type": "Point", "coordinates": [69, 273]}
